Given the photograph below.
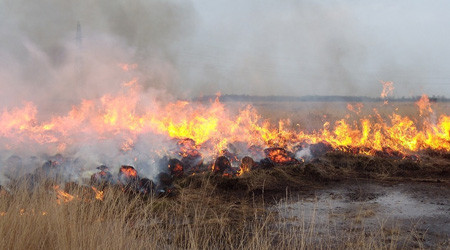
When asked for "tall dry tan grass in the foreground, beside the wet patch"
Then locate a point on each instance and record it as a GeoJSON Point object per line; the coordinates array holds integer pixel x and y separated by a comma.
{"type": "Point", "coordinates": [197, 218]}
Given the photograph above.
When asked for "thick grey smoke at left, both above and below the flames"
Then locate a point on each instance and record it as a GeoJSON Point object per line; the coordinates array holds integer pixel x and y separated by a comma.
{"type": "Point", "coordinates": [43, 60]}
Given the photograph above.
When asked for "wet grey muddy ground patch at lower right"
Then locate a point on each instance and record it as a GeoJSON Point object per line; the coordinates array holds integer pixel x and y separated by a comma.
{"type": "Point", "coordinates": [415, 214]}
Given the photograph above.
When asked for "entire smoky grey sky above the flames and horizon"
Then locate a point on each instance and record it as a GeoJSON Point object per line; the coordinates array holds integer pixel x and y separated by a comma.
{"type": "Point", "coordinates": [199, 47]}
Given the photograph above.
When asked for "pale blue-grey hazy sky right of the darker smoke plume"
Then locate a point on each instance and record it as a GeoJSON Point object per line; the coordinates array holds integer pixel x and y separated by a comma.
{"type": "Point", "coordinates": [319, 48]}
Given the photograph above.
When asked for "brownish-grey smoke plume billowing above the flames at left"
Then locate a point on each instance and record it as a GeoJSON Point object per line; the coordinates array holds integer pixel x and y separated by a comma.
{"type": "Point", "coordinates": [41, 62]}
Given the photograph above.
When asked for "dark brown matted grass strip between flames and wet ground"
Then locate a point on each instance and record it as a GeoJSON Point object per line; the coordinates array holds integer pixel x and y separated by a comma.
{"type": "Point", "coordinates": [329, 169]}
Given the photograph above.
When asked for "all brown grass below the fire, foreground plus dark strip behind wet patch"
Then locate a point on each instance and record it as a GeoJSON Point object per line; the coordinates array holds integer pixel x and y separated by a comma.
{"type": "Point", "coordinates": [210, 210]}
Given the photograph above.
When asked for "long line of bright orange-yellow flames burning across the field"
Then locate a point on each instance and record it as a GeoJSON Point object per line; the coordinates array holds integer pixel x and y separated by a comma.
{"type": "Point", "coordinates": [123, 116]}
